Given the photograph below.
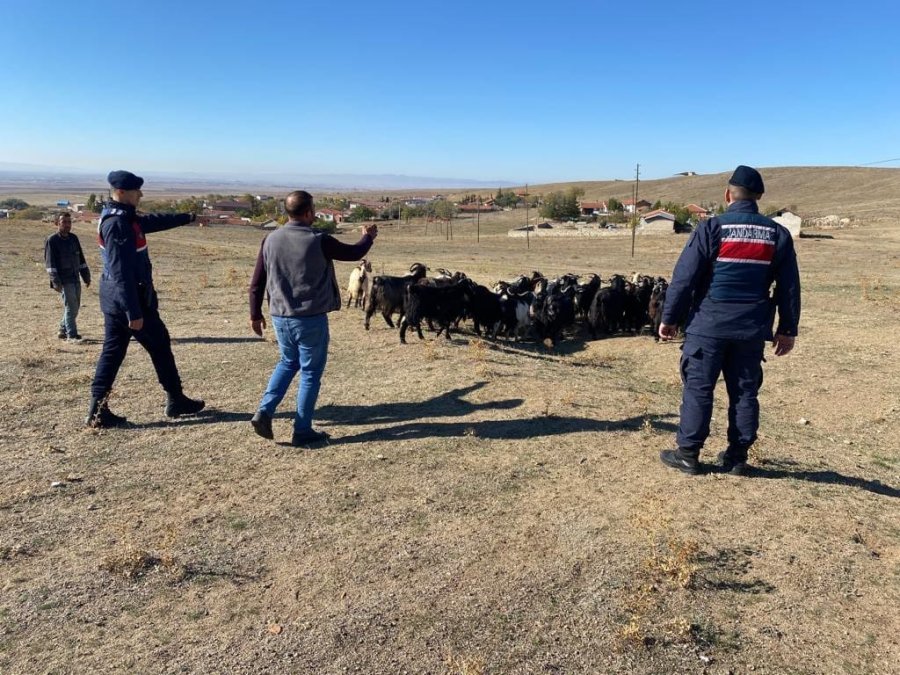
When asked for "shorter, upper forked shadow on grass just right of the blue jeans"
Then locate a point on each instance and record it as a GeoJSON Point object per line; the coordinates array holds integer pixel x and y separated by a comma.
{"type": "Point", "coordinates": [448, 404]}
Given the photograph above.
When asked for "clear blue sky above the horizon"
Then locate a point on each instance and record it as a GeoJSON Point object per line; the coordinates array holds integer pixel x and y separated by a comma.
{"type": "Point", "coordinates": [522, 91]}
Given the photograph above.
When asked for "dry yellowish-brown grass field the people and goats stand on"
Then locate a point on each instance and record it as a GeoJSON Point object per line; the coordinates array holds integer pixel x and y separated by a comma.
{"type": "Point", "coordinates": [481, 508]}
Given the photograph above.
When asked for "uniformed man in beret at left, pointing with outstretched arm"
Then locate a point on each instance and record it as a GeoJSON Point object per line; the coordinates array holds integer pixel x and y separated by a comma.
{"type": "Point", "coordinates": [128, 300]}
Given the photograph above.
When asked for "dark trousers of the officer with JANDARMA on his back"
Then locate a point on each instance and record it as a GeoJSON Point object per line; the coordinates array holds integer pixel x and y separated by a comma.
{"type": "Point", "coordinates": [703, 359]}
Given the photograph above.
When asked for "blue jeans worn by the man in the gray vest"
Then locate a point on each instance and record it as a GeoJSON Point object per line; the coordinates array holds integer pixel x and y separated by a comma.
{"type": "Point", "coordinates": [303, 341]}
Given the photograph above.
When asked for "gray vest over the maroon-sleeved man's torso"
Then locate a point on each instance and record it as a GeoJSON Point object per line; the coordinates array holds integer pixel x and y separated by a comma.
{"type": "Point", "coordinates": [300, 280]}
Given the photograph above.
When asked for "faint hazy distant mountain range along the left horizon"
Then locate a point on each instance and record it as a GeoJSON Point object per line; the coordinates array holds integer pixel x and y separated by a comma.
{"type": "Point", "coordinates": [34, 174]}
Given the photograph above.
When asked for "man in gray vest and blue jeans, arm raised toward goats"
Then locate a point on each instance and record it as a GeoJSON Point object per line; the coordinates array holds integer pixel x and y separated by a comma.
{"type": "Point", "coordinates": [295, 268]}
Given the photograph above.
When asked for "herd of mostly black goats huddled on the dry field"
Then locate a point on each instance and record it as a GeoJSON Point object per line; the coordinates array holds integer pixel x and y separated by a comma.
{"type": "Point", "coordinates": [529, 307]}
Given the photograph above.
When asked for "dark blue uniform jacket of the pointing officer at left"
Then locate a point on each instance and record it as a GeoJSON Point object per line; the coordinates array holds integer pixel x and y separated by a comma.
{"type": "Point", "coordinates": [126, 285]}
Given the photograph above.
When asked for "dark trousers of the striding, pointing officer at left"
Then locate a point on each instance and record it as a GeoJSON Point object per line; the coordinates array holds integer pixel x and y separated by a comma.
{"type": "Point", "coordinates": [154, 337]}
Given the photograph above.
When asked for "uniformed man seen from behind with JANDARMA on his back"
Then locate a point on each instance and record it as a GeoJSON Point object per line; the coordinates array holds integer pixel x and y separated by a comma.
{"type": "Point", "coordinates": [721, 283]}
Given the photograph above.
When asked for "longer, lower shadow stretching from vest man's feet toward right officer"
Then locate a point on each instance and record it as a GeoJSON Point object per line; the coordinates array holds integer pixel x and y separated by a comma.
{"type": "Point", "coordinates": [516, 429]}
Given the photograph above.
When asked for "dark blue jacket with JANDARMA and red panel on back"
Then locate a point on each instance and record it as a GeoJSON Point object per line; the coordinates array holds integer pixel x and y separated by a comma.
{"type": "Point", "coordinates": [722, 279]}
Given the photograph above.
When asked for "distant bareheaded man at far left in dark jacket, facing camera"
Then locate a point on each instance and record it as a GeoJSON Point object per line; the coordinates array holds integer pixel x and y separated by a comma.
{"type": "Point", "coordinates": [66, 266]}
